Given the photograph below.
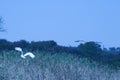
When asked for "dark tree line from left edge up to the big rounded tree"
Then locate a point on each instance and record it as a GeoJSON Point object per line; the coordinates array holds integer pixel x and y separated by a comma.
{"type": "Point", "coordinates": [48, 46]}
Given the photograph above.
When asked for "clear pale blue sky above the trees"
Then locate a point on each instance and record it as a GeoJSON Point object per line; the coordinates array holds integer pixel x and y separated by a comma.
{"type": "Point", "coordinates": [63, 21]}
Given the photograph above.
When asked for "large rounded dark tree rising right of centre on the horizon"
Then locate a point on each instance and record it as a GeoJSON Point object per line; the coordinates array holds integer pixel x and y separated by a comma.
{"type": "Point", "coordinates": [90, 49]}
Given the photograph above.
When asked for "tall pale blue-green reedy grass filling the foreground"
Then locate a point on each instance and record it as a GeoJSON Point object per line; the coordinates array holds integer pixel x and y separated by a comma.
{"type": "Point", "coordinates": [53, 66]}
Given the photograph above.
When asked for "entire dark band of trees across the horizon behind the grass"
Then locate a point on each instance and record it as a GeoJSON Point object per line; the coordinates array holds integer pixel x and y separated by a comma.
{"type": "Point", "coordinates": [91, 50]}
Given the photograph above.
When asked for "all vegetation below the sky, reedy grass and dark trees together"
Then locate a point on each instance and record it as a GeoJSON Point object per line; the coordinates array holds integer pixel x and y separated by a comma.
{"type": "Point", "coordinates": [87, 61]}
